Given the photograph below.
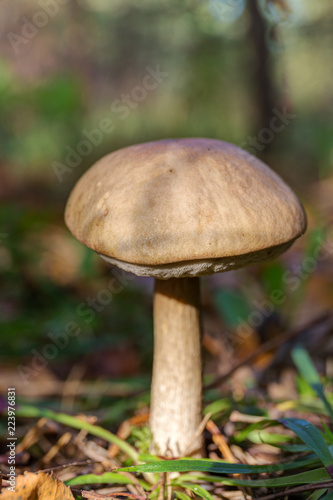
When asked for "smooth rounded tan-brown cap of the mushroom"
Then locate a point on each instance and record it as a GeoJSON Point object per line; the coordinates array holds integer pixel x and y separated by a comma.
{"type": "Point", "coordinates": [184, 207]}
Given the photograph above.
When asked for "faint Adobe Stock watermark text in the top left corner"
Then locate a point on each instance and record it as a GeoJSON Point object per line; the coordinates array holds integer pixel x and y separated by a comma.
{"type": "Point", "coordinates": [30, 27]}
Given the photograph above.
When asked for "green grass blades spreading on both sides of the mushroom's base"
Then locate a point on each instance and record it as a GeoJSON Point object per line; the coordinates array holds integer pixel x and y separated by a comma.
{"type": "Point", "coordinates": [307, 465]}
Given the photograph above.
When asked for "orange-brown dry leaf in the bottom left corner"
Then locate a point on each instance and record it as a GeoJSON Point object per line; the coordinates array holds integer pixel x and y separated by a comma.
{"type": "Point", "coordinates": [37, 487]}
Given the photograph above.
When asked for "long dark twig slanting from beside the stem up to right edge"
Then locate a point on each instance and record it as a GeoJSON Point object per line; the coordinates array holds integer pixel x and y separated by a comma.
{"type": "Point", "coordinates": [268, 346]}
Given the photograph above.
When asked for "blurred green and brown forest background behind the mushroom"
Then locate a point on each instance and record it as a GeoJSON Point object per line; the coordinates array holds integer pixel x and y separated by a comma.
{"type": "Point", "coordinates": [81, 78]}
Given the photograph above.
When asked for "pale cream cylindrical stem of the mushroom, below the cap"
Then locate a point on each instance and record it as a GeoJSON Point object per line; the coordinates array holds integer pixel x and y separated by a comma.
{"type": "Point", "coordinates": [176, 393]}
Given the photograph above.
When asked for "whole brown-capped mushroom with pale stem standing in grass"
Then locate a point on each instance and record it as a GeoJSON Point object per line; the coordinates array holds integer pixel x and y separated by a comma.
{"type": "Point", "coordinates": [177, 210]}
